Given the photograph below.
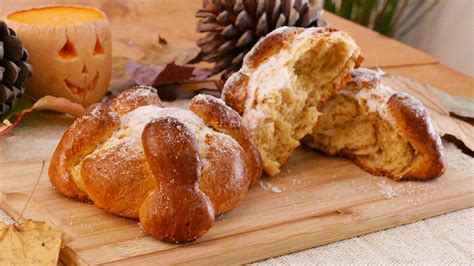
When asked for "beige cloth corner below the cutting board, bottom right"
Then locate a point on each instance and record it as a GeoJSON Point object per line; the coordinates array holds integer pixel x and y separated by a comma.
{"type": "Point", "coordinates": [442, 240]}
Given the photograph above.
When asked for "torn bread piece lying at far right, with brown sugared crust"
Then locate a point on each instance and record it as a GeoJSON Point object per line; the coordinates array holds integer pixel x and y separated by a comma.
{"type": "Point", "coordinates": [385, 132]}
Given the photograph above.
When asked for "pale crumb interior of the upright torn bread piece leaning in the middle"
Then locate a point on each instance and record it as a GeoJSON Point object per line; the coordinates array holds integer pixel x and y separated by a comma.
{"type": "Point", "coordinates": [286, 95]}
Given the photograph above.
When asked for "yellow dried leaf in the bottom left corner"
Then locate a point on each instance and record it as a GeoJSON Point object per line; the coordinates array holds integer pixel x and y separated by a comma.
{"type": "Point", "coordinates": [29, 243]}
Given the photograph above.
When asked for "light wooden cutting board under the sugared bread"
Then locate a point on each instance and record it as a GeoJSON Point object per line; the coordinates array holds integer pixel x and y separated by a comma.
{"type": "Point", "coordinates": [314, 201]}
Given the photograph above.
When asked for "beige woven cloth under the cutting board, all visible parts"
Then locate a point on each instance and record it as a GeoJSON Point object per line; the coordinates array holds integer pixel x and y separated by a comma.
{"type": "Point", "coordinates": [444, 239]}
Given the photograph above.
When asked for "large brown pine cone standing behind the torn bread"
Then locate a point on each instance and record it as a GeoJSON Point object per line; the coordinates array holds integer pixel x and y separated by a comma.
{"type": "Point", "coordinates": [234, 26]}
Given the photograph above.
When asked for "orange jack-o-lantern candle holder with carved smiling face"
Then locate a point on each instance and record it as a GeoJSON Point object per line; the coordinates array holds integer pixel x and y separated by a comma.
{"type": "Point", "coordinates": [70, 49]}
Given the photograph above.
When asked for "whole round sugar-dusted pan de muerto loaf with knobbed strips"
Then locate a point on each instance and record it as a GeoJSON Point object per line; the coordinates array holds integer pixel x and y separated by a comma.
{"type": "Point", "coordinates": [173, 169]}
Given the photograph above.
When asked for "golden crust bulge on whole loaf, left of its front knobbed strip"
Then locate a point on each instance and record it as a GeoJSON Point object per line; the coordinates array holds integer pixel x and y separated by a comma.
{"type": "Point", "coordinates": [112, 176]}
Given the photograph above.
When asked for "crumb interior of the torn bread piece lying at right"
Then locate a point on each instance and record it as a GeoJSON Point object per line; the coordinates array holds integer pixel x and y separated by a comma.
{"type": "Point", "coordinates": [348, 128]}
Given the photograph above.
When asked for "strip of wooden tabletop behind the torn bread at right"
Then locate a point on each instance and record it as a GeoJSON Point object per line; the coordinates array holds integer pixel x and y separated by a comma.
{"type": "Point", "coordinates": [397, 58]}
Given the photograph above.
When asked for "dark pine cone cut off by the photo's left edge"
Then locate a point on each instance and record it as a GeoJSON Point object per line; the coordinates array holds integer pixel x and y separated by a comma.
{"type": "Point", "coordinates": [13, 67]}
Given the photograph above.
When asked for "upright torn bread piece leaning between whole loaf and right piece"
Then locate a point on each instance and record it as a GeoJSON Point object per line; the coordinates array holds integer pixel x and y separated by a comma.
{"type": "Point", "coordinates": [284, 81]}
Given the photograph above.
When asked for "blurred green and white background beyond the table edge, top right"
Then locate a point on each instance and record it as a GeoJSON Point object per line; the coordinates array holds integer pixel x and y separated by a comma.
{"type": "Point", "coordinates": [443, 28]}
